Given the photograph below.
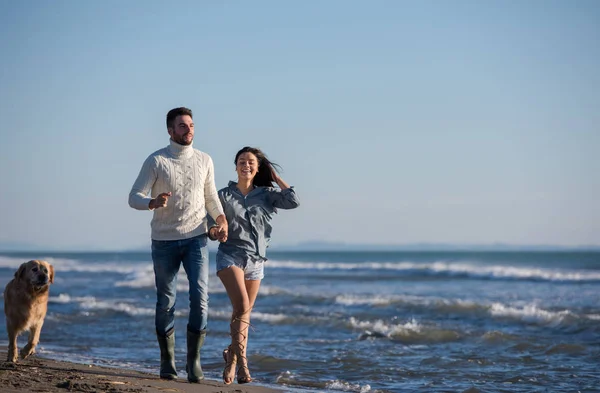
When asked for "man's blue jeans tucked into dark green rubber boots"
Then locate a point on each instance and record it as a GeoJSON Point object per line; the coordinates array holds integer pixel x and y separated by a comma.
{"type": "Point", "coordinates": [167, 257]}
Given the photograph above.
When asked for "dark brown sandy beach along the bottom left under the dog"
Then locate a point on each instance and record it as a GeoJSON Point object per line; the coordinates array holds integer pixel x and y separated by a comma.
{"type": "Point", "coordinates": [44, 375]}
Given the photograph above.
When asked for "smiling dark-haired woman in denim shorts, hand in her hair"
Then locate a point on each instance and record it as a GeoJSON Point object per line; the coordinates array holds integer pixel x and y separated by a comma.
{"type": "Point", "coordinates": [249, 206]}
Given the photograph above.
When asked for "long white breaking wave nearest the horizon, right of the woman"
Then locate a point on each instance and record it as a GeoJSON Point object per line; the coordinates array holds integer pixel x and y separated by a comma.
{"type": "Point", "coordinates": [442, 268]}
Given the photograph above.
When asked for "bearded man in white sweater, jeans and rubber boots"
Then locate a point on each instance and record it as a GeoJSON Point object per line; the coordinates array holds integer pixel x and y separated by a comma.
{"type": "Point", "coordinates": [177, 183]}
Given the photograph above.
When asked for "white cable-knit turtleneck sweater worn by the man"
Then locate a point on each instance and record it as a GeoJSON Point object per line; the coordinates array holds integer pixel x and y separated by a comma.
{"type": "Point", "coordinates": [189, 175]}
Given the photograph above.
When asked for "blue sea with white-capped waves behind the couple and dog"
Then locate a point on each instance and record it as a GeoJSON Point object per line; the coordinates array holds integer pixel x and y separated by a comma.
{"type": "Point", "coordinates": [349, 321]}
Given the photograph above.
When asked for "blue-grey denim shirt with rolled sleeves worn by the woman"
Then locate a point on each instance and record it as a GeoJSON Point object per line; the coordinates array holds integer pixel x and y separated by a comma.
{"type": "Point", "coordinates": [249, 217]}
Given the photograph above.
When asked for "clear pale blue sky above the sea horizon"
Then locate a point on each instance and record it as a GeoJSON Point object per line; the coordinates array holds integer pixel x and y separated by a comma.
{"type": "Point", "coordinates": [397, 122]}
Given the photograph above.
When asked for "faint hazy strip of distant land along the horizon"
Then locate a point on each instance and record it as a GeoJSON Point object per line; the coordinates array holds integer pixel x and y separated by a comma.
{"type": "Point", "coordinates": [329, 246]}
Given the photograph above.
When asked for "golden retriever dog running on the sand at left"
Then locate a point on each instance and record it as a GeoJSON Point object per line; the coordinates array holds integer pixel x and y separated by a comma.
{"type": "Point", "coordinates": [25, 305]}
